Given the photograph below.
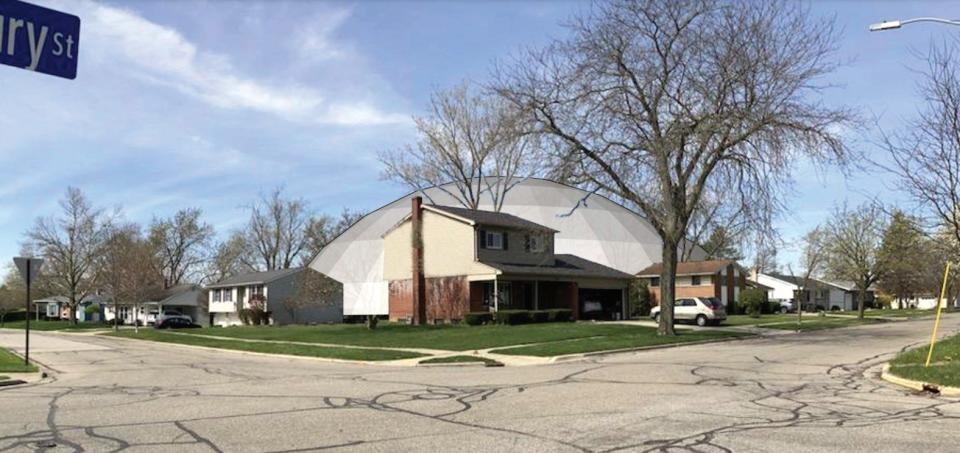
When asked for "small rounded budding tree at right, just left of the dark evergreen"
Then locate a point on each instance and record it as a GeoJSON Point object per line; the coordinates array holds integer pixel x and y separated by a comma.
{"type": "Point", "coordinates": [853, 240]}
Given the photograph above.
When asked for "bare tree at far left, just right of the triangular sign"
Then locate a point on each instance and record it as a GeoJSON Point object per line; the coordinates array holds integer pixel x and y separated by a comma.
{"type": "Point", "coordinates": [70, 244]}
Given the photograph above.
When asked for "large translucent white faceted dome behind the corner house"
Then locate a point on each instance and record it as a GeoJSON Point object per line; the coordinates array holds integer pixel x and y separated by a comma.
{"type": "Point", "coordinates": [598, 230]}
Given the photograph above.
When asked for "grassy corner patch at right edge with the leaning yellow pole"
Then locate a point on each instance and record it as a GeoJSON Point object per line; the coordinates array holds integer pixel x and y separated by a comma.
{"type": "Point", "coordinates": [944, 367]}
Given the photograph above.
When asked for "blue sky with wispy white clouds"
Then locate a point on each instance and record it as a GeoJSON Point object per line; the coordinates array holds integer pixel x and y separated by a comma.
{"type": "Point", "coordinates": [208, 104]}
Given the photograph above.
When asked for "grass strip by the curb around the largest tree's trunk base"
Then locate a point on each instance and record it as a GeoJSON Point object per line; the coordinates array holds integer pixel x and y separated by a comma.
{"type": "Point", "coordinates": [639, 337]}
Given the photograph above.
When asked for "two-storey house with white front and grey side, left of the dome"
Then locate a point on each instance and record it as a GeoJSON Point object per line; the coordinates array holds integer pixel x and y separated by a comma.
{"type": "Point", "coordinates": [275, 288]}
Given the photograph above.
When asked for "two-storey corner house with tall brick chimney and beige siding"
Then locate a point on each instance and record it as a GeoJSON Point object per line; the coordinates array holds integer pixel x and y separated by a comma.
{"type": "Point", "coordinates": [476, 261]}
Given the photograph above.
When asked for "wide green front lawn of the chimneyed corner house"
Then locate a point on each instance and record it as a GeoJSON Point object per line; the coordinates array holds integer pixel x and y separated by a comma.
{"type": "Point", "coordinates": [444, 337]}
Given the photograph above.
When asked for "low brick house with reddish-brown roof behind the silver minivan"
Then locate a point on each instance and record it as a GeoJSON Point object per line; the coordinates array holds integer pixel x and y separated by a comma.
{"type": "Point", "coordinates": [722, 279]}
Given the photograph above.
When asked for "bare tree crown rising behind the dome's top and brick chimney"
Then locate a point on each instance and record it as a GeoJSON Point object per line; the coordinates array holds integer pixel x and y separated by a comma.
{"type": "Point", "coordinates": [474, 141]}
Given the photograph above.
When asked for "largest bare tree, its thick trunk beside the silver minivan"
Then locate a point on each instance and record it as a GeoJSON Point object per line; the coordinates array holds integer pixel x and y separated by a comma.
{"type": "Point", "coordinates": [659, 102]}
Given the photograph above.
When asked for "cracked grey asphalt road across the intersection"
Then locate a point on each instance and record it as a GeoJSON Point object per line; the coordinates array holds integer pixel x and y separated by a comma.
{"type": "Point", "coordinates": [817, 391]}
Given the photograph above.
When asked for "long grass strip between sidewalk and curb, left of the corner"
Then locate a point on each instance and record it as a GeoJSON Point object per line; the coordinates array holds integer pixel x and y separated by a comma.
{"type": "Point", "coordinates": [269, 348]}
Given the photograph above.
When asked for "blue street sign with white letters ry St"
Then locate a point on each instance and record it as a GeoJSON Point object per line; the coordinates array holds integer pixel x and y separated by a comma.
{"type": "Point", "coordinates": [39, 39]}
